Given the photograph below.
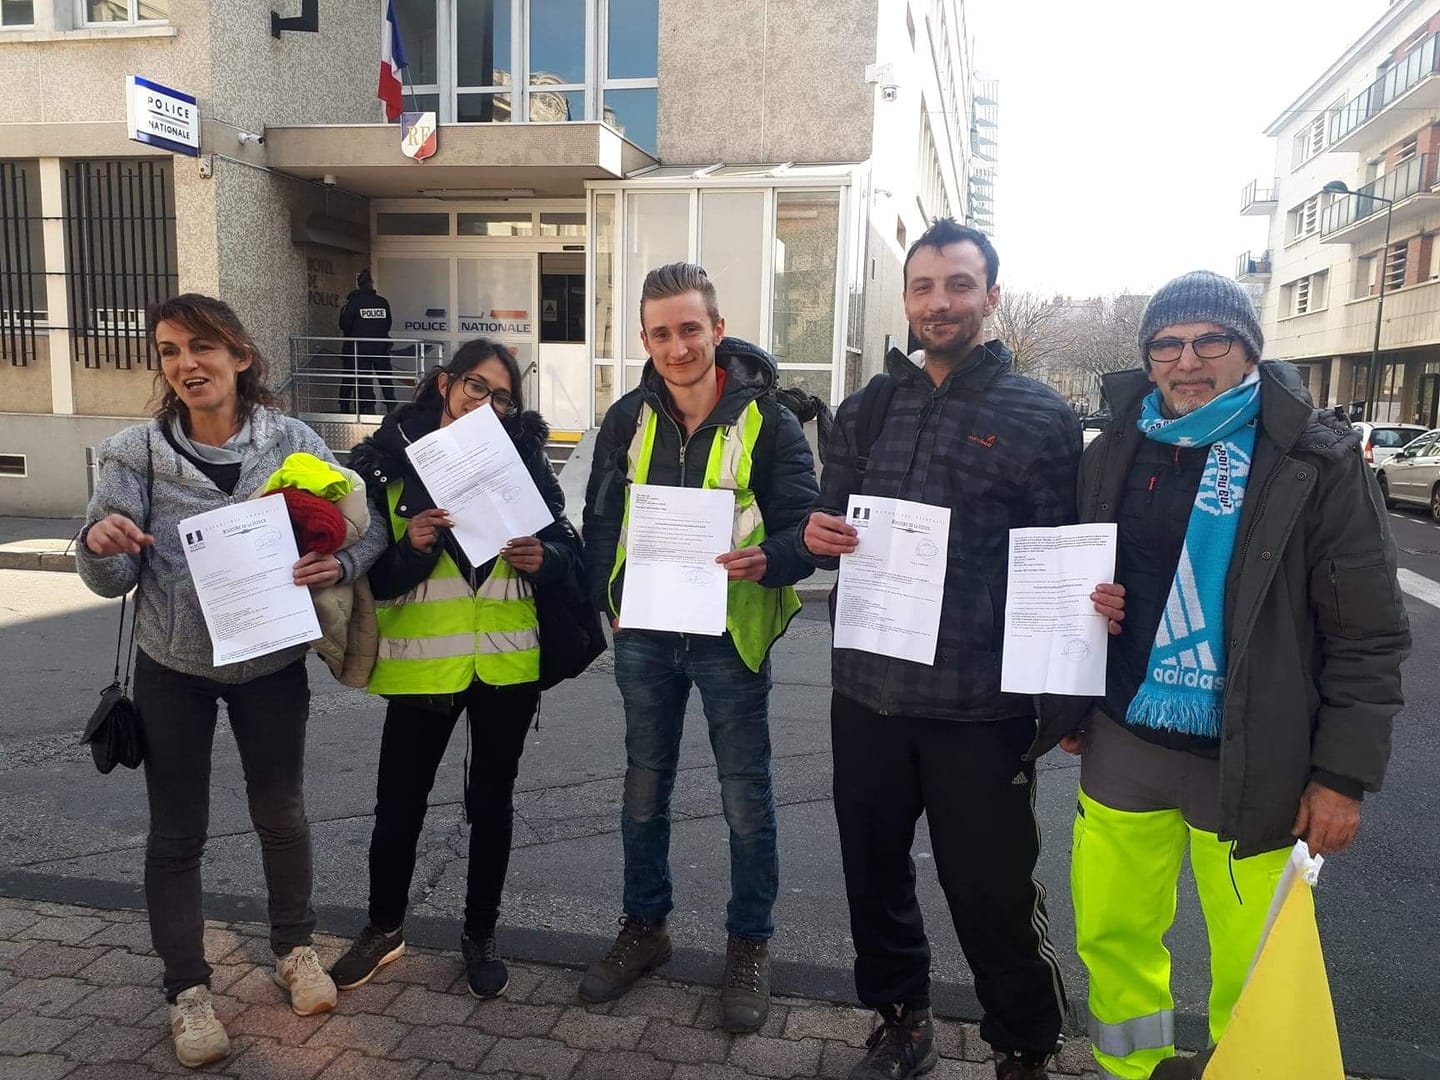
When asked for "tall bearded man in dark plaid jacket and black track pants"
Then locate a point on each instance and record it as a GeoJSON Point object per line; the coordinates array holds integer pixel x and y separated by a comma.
{"type": "Point", "coordinates": [1002, 451]}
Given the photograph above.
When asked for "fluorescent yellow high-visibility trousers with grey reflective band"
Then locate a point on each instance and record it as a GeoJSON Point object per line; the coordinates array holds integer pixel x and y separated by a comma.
{"type": "Point", "coordinates": [1124, 876]}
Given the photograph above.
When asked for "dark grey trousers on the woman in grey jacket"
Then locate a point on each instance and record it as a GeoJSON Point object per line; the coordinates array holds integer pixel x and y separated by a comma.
{"type": "Point", "coordinates": [269, 721]}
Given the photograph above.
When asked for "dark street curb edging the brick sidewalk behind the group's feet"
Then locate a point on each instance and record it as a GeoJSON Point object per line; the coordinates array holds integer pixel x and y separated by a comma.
{"type": "Point", "coordinates": [951, 1002]}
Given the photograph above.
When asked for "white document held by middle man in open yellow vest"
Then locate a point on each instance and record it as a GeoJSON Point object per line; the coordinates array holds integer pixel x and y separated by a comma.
{"type": "Point", "coordinates": [673, 581]}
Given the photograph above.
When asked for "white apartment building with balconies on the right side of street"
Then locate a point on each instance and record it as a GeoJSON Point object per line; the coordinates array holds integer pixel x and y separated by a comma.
{"type": "Point", "coordinates": [1372, 123]}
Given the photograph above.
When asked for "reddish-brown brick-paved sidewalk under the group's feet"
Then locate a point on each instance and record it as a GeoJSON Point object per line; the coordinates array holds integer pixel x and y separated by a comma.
{"type": "Point", "coordinates": [80, 999]}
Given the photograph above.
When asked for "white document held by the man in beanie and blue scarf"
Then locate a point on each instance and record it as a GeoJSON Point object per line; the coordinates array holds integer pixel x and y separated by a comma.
{"type": "Point", "coordinates": [1056, 643]}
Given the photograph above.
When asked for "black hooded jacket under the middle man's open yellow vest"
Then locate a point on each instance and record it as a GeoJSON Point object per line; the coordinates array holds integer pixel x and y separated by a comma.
{"type": "Point", "coordinates": [783, 477]}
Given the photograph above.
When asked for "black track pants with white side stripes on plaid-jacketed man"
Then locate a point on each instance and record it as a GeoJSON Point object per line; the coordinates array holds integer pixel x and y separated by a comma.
{"type": "Point", "coordinates": [977, 791]}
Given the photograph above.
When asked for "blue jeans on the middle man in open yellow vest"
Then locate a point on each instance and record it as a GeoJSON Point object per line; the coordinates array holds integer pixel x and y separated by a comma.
{"type": "Point", "coordinates": [654, 673]}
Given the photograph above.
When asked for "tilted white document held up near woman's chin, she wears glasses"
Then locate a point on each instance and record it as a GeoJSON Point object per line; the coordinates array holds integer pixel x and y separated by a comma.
{"type": "Point", "coordinates": [474, 472]}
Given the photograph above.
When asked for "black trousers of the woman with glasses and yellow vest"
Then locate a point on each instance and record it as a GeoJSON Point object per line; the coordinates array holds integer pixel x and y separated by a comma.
{"type": "Point", "coordinates": [411, 751]}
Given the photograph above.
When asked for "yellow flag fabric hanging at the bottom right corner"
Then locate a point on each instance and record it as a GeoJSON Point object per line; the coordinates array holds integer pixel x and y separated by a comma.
{"type": "Point", "coordinates": [1284, 1026]}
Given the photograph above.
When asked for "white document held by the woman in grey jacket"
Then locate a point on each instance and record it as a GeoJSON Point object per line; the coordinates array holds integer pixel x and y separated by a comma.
{"type": "Point", "coordinates": [243, 561]}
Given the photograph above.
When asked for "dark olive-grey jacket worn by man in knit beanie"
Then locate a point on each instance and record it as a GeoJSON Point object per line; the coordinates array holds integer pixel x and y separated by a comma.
{"type": "Point", "coordinates": [1314, 617]}
